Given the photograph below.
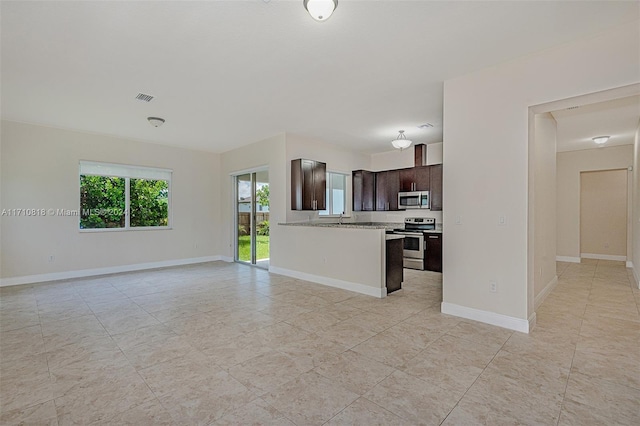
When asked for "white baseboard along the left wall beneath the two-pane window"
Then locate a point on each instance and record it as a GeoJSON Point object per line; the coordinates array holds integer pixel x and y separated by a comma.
{"type": "Point", "coordinates": [55, 276]}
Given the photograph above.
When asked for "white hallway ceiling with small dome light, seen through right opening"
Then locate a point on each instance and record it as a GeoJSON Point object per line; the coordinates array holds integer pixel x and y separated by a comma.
{"type": "Point", "coordinates": [616, 118]}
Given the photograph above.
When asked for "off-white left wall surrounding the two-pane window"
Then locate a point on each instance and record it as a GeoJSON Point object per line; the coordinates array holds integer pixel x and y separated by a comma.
{"type": "Point", "coordinates": [40, 170]}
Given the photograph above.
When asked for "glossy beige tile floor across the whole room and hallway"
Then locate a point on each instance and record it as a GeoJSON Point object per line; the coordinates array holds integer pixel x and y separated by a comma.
{"type": "Point", "coordinates": [227, 344]}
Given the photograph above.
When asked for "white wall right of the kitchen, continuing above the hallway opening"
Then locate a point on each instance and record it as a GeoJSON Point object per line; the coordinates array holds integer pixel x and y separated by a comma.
{"type": "Point", "coordinates": [486, 172]}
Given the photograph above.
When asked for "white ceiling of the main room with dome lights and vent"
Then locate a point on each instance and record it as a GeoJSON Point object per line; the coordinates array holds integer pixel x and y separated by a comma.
{"type": "Point", "coordinates": [229, 73]}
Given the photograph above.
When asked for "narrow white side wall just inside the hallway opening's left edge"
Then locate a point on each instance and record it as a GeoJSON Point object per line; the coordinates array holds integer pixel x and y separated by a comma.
{"type": "Point", "coordinates": [544, 209]}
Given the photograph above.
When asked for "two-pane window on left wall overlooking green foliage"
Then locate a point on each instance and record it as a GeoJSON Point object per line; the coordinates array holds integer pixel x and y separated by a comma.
{"type": "Point", "coordinates": [115, 196]}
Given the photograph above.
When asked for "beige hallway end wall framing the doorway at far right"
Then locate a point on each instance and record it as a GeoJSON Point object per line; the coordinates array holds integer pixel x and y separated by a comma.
{"type": "Point", "coordinates": [569, 166]}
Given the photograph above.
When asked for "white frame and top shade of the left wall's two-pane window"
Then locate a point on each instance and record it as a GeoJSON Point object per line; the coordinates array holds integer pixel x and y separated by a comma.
{"type": "Point", "coordinates": [128, 172]}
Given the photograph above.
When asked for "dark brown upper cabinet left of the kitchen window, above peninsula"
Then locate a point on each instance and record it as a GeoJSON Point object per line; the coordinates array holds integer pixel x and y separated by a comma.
{"type": "Point", "coordinates": [308, 185]}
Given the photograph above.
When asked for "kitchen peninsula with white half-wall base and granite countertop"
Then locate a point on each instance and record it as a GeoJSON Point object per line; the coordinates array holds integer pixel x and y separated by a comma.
{"type": "Point", "coordinates": [351, 256]}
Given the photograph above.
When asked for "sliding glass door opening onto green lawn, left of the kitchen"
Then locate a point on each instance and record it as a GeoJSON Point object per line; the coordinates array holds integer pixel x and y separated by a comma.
{"type": "Point", "coordinates": [252, 218]}
